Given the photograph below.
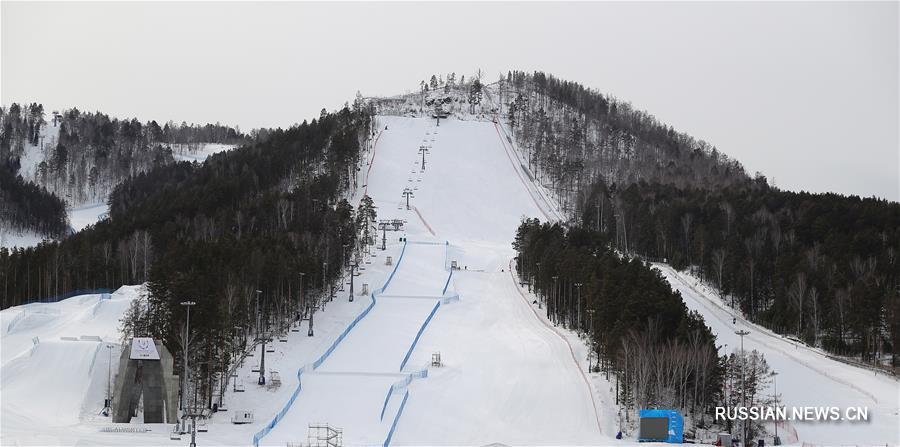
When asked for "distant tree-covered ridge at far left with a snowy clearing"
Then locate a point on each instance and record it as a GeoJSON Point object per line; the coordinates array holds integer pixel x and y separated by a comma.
{"type": "Point", "coordinates": [82, 156]}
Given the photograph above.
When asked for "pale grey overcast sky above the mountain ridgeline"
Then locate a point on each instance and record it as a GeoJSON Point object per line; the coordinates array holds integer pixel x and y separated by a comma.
{"type": "Point", "coordinates": [806, 93]}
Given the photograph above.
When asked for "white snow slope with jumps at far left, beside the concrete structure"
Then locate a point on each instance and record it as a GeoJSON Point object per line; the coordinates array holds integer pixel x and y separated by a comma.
{"type": "Point", "coordinates": [55, 364]}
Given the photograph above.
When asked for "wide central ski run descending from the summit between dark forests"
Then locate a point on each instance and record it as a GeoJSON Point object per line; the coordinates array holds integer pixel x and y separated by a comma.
{"type": "Point", "coordinates": [507, 378]}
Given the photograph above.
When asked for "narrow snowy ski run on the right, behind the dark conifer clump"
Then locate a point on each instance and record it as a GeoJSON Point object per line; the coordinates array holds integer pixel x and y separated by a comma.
{"type": "Point", "coordinates": [806, 376]}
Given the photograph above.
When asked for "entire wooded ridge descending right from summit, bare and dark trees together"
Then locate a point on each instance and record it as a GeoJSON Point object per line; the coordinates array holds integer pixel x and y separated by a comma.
{"type": "Point", "coordinates": [820, 266]}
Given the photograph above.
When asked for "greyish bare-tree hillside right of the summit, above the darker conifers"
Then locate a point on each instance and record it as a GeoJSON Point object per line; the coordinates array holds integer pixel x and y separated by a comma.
{"type": "Point", "coordinates": [575, 136]}
